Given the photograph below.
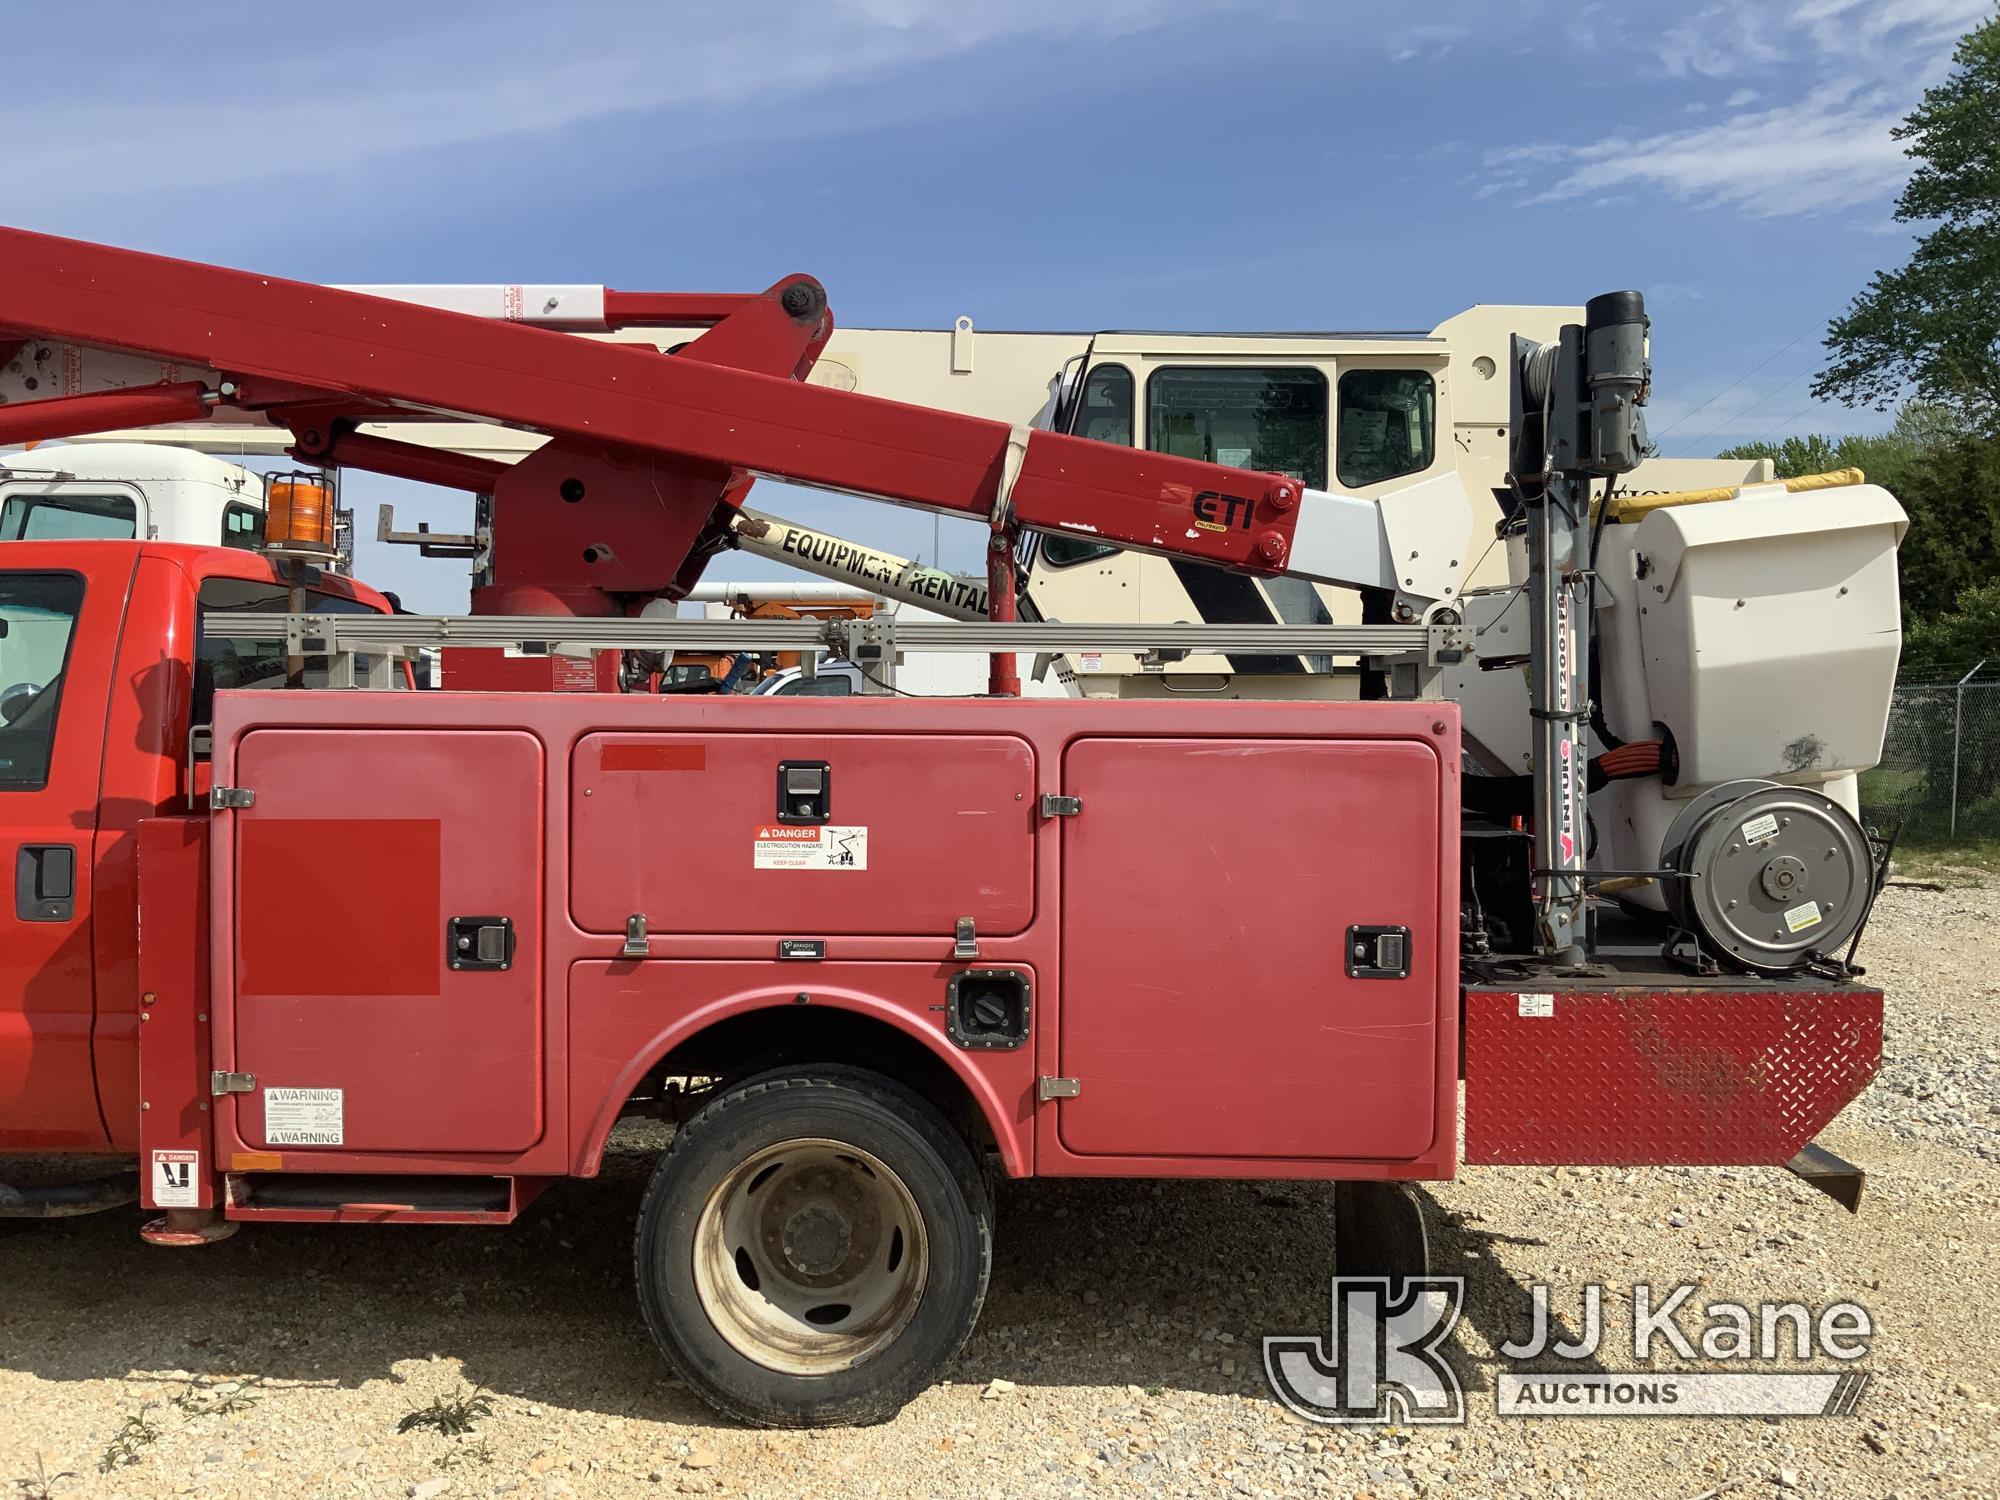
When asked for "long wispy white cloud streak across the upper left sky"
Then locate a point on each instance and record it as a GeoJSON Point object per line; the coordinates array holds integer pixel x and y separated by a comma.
{"type": "Point", "coordinates": [353, 103]}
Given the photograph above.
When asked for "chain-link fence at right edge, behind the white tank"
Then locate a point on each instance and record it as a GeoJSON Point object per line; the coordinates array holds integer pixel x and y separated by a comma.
{"type": "Point", "coordinates": [1941, 765]}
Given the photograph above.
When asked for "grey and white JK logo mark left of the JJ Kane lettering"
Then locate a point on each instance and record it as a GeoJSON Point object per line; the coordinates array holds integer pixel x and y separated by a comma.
{"type": "Point", "coordinates": [1381, 1359]}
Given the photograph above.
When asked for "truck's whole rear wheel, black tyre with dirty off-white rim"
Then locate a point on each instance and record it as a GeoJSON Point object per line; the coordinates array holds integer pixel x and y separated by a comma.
{"type": "Point", "coordinates": [815, 1249]}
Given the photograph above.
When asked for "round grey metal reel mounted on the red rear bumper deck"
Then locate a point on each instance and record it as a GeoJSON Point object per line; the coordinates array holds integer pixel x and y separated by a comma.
{"type": "Point", "coordinates": [1773, 875]}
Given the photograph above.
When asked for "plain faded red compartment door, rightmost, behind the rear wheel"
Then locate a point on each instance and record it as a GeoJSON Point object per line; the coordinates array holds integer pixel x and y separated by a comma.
{"type": "Point", "coordinates": [1207, 891]}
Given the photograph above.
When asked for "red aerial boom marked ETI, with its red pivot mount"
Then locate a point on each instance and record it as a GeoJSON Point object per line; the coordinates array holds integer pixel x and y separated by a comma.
{"type": "Point", "coordinates": [647, 455]}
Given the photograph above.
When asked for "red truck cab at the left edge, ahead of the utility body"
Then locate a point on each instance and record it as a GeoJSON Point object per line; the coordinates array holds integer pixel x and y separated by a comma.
{"type": "Point", "coordinates": [107, 683]}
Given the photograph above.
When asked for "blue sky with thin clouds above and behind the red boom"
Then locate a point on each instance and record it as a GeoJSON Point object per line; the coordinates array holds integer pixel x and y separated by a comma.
{"type": "Point", "coordinates": [1031, 163]}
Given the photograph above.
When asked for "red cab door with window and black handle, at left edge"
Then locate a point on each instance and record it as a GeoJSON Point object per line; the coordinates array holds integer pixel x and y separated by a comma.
{"type": "Point", "coordinates": [59, 627]}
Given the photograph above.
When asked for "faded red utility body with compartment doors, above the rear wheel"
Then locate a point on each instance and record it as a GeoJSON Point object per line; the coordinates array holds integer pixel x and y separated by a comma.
{"type": "Point", "coordinates": [1207, 1017]}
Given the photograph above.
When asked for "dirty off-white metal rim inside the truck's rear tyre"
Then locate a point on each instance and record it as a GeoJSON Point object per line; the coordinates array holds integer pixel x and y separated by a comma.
{"type": "Point", "coordinates": [811, 1257]}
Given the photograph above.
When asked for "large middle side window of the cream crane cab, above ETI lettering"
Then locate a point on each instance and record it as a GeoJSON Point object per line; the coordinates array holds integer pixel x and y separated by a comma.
{"type": "Point", "coordinates": [1267, 419]}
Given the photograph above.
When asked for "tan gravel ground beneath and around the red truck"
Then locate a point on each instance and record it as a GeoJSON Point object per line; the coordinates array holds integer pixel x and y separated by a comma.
{"type": "Point", "coordinates": [1119, 1347]}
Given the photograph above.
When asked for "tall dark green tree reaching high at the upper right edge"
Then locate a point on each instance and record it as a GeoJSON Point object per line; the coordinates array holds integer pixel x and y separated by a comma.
{"type": "Point", "coordinates": [1933, 327]}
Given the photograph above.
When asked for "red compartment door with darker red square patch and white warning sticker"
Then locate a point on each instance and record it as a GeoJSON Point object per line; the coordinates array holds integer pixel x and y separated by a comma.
{"type": "Point", "coordinates": [345, 871]}
